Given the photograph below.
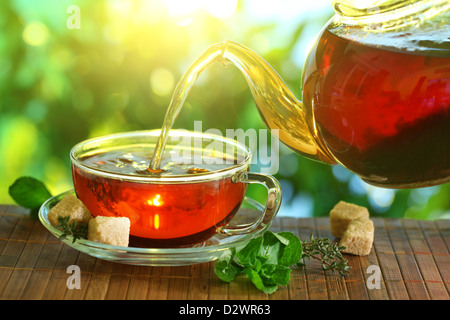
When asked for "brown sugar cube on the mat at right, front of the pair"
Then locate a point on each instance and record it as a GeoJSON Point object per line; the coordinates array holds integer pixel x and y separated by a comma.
{"type": "Point", "coordinates": [358, 237]}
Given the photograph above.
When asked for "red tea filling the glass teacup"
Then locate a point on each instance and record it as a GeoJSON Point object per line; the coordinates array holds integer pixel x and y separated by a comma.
{"type": "Point", "coordinates": [162, 214]}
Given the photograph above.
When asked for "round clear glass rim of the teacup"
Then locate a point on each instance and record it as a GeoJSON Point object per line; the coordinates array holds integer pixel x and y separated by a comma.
{"type": "Point", "coordinates": [166, 179]}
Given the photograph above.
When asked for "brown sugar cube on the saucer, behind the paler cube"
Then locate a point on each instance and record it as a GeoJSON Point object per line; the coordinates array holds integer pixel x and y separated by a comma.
{"type": "Point", "coordinates": [69, 206]}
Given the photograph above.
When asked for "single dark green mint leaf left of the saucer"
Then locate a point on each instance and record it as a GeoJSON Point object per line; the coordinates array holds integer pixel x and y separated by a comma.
{"type": "Point", "coordinates": [29, 193]}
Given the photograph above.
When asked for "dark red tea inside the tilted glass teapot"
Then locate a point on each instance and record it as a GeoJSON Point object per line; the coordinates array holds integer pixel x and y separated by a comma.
{"type": "Point", "coordinates": [382, 113]}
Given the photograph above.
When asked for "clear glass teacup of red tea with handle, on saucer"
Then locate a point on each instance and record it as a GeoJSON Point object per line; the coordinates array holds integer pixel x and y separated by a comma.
{"type": "Point", "coordinates": [201, 187]}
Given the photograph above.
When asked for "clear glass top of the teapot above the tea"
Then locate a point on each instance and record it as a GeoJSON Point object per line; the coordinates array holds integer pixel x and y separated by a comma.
{"type": "Point", "coordinates": [388, 13]}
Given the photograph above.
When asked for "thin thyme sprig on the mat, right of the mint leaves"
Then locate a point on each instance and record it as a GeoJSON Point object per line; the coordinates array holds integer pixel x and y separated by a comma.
{"type": "Point", "coordinates": [328, 254]}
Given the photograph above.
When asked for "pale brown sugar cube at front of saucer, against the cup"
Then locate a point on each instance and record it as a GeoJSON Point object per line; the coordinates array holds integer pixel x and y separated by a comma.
{"type": "Point", "coordinates": [110, 230]}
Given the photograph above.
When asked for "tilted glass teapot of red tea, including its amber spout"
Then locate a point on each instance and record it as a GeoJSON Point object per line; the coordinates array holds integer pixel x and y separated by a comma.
{"type": "Point", "coordinates": [376, 92]}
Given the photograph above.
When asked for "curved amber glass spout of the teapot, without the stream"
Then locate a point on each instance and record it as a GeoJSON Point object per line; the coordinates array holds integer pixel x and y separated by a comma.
{"type": "Point", "coordinates": [277, 105]}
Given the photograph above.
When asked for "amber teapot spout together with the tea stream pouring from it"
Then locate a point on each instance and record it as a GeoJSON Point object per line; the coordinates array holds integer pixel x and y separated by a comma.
{"type": "Point", "coordinates": [278, 107]}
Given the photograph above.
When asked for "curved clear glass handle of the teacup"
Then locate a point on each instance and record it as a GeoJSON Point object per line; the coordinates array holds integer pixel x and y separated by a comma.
{"type": "Point", "coordinates": [272, 205]}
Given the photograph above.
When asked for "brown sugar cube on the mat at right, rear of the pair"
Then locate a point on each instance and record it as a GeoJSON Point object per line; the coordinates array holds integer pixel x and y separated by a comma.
{"type": "Point", "coordinates": [342, 214]}
